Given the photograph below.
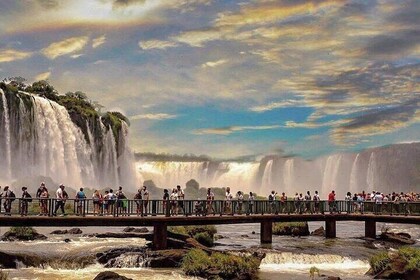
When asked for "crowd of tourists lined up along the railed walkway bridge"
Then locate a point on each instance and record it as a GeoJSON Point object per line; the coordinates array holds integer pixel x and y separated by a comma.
{"type": "Point", "coordinates": [173, 203]}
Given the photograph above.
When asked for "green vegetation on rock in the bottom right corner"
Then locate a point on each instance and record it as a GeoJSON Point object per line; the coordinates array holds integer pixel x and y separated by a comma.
{"type": "Point", "coordinates": [406, 259]}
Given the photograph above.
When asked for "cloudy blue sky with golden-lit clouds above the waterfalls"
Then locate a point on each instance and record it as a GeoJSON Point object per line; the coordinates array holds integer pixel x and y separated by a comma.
{"type": "Point", "coordinates": [228, 78]}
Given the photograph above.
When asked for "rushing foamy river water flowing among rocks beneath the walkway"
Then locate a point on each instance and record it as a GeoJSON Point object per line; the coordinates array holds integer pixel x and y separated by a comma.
{"type": "Point", "coordinates": [287, 257]}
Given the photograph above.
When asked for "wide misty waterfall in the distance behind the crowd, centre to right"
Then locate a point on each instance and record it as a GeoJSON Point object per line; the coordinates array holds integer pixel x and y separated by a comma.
{"type": "Point", "coordinates": [387, 169]}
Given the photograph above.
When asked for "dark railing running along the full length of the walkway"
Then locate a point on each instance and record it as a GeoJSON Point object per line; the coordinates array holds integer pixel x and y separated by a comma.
{"type": "Point", "coordinates": [129, 207]}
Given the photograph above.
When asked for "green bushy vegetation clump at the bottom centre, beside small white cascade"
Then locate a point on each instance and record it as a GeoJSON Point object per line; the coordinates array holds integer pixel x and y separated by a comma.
{"type": "Point", "coordinates": [218, 265]}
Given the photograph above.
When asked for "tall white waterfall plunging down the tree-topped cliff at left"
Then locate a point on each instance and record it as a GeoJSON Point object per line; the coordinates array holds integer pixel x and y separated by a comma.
{"type": "Point", "coordinates": [39, 138]}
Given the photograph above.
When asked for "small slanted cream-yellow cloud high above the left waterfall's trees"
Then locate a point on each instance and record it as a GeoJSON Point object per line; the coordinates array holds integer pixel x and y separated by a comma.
{"type": "Point", "coordinates": [65, 47]}
